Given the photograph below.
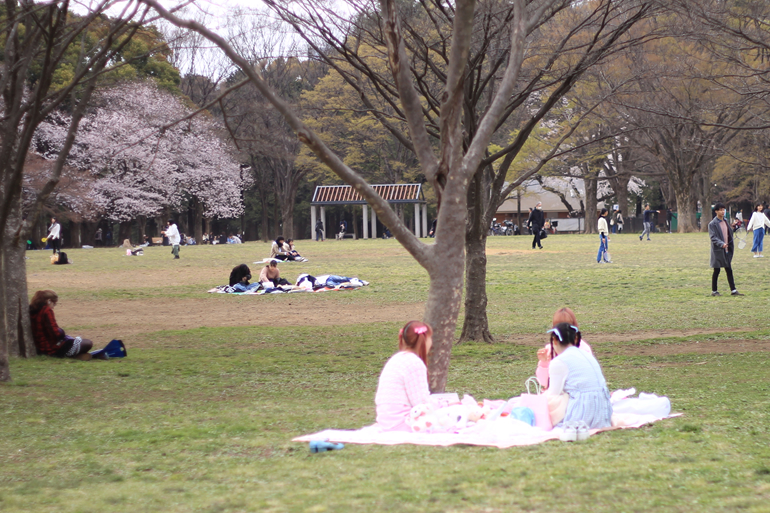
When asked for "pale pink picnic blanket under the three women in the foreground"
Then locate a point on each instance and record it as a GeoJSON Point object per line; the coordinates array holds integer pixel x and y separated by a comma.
{"type": "Point", "coordinates": [503, 432]}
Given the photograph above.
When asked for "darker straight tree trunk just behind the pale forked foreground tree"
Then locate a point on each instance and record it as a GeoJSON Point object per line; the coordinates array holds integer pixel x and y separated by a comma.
{"type": "Point", "coordinates": [476, 322]}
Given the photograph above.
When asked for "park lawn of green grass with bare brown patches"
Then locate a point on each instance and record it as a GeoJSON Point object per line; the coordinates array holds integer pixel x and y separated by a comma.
{"type": "Point", "coordinates": [201, 414]}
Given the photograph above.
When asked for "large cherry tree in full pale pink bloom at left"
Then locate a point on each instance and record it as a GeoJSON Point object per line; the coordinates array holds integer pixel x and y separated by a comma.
{"type": "Point", "coordinates": [144, 159]}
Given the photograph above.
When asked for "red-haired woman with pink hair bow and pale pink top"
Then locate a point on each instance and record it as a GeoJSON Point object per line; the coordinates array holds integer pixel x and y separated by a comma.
{"type": "Point", "coordinates": [403, 382]}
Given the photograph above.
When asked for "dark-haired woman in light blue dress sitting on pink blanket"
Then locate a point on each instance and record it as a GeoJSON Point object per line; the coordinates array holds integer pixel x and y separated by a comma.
{"type": "Point", "coordinates": [579, 375]}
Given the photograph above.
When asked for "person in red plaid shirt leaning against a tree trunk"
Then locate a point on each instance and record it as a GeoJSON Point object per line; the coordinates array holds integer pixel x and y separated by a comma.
{"type": "Point", "coordinates": [49, 338]}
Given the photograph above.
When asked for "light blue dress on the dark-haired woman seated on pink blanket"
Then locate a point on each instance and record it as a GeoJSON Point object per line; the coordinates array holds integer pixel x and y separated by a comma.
{"type": "Point", "coordinates": [589, 399]}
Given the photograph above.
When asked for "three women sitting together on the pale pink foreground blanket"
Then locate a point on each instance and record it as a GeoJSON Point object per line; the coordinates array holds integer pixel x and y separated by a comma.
{"type": "Point", "coordinates": [567, 370]}
